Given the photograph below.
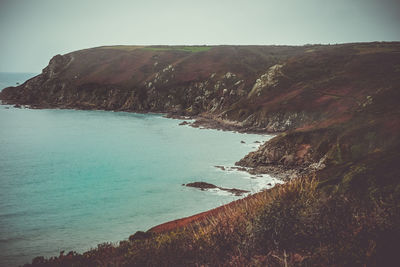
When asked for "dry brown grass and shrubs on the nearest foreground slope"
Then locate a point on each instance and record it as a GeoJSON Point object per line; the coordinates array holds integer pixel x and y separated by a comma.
{"type": "Point", "coordinates": [290, 225]}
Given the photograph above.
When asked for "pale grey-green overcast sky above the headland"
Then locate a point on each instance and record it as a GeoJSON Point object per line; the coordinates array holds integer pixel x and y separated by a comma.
{"type": "Point", "coordinates": [32, 31]}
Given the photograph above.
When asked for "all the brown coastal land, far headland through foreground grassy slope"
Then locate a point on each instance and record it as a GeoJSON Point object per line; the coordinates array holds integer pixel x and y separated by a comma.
{"type": "Point", "coordinates": [334, 110]}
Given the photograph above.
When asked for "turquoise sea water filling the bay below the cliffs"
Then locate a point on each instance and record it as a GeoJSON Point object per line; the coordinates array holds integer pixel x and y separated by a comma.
{"type": "Point", "coordinates": [73, 179]}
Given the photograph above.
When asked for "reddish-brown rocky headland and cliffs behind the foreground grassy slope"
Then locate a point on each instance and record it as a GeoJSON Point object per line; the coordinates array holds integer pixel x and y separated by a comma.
{"type": "Point", "coordinates": [335, 104]}
